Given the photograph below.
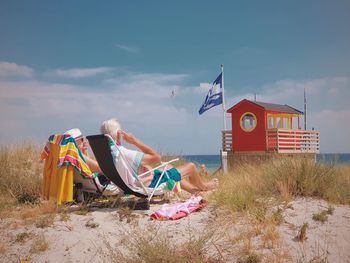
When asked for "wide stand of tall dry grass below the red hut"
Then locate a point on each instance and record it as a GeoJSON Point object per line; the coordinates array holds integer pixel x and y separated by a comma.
{"type": "Point", "coordinates": [251, 185]}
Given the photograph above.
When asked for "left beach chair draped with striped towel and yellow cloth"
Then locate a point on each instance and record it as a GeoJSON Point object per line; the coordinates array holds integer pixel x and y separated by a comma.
{"type": "Point", "coordinates": [65, 169]}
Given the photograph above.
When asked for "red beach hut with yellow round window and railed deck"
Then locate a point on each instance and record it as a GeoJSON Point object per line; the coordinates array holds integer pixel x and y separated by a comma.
{"type": "Point", "coordinates": [264, 128]}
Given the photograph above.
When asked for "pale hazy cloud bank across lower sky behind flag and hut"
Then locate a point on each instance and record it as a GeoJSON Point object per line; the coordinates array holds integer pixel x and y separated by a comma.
{"type": "Point", "coordinates": [144, 105]}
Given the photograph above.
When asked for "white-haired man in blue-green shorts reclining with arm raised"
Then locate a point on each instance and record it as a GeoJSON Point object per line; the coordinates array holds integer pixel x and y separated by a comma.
{"type": "Point", "coordinates": [142, 160]}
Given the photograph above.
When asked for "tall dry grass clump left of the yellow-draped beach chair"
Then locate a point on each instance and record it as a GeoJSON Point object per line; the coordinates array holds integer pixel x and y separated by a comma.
{"type": "Point", "coordinates": [20, 181]}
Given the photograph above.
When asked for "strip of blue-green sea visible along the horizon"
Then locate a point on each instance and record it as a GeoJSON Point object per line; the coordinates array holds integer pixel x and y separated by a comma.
{"type": "Point", "coordinates": [213, 162]}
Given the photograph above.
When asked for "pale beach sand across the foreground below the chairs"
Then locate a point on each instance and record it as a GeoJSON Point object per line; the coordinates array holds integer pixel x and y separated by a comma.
{"type": "Point", "coordinates": [100, 234]}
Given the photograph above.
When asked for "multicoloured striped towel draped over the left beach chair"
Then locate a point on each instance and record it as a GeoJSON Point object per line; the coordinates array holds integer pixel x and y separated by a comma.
{"type": "Point", "coordinates": [69, 154]}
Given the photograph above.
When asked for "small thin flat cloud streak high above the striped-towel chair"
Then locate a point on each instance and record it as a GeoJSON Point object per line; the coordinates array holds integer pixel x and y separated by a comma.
{"type": "Point", "coordinates": [81, 72]}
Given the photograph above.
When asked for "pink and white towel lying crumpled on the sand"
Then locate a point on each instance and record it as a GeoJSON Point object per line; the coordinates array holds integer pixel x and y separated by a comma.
{"type": "Point", "coordinates": [179, 210]}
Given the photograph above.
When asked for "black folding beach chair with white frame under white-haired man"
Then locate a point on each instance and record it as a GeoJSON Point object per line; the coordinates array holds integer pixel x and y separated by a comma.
{"type": "Point", "coordinates": [102, 151]}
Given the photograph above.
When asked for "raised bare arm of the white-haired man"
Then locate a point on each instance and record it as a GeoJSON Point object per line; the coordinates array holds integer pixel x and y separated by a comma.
{"type": "Point", "coordinates": [150, 155]}
